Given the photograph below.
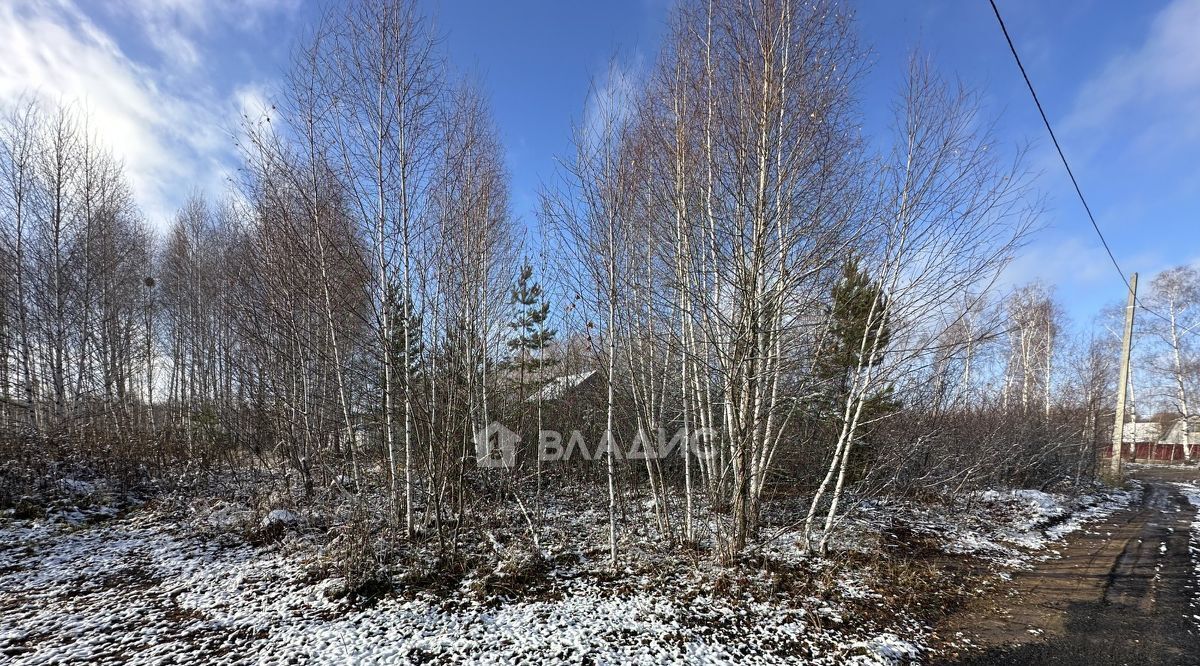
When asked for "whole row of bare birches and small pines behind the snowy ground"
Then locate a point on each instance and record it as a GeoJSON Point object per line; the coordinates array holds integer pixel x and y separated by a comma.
{"type": "Point", "coordinates": [723, 256]}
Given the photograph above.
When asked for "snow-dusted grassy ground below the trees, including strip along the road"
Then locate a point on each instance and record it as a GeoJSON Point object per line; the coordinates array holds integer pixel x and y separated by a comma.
{"type": "Point", "coordinates": [147, 589]}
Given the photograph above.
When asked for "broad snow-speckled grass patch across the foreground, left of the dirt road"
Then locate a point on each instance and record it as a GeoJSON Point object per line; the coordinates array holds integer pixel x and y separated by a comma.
{"type": "Point", "coordinates": [142, 591]}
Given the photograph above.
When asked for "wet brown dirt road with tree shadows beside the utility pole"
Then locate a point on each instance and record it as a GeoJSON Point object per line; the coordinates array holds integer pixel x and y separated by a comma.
{"type": "Point", "coordinates": [1124, 592]}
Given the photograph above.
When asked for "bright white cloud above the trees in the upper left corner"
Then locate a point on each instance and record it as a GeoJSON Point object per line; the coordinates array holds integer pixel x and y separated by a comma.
{"type": "Point", "coordinates": [173, 137]}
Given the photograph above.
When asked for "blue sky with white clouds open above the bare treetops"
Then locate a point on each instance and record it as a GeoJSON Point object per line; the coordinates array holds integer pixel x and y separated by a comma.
{"type": "Point", "coordinates": [166, 80]}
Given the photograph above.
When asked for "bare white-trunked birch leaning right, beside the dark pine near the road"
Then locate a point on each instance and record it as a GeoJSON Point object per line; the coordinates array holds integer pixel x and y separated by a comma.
{"type": "Point", "coordinates": [952, 214]}
